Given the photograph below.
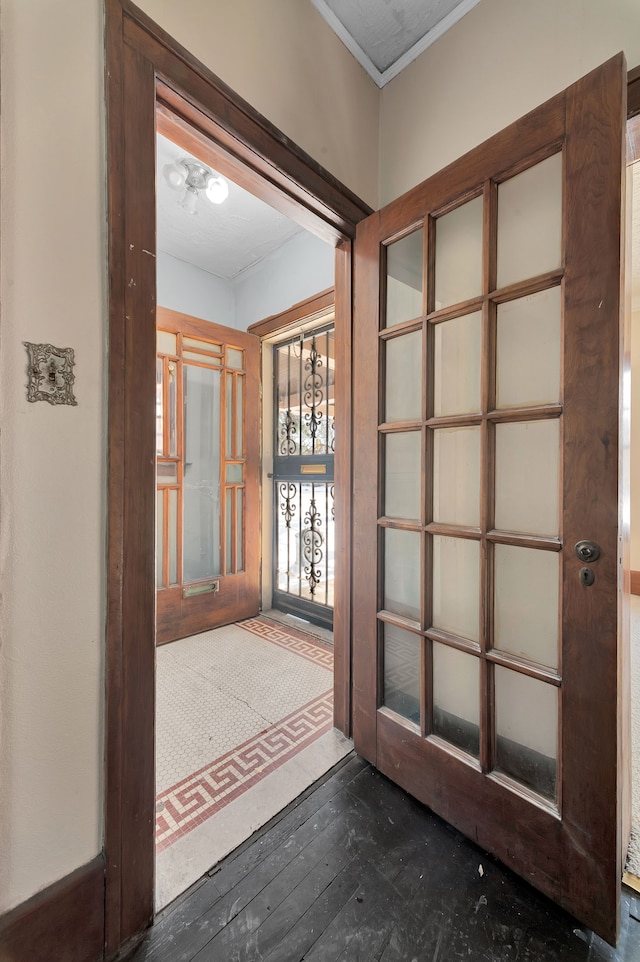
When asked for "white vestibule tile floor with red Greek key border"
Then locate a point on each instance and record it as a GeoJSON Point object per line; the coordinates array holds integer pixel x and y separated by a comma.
{"type": "Point", "coordinates": [243, 725]}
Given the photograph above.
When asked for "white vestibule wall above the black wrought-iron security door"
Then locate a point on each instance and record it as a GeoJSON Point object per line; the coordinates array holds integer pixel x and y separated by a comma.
{"type": "Point", "coordinates": [302, 267]}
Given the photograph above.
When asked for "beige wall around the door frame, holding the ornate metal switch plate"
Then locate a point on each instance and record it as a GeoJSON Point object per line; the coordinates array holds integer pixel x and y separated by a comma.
{"type": "Point", "coordinates": [52, 471]}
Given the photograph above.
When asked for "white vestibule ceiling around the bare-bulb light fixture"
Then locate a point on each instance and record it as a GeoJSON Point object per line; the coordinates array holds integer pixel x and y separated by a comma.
{"type": "Point", "coordinates": [223, 239]}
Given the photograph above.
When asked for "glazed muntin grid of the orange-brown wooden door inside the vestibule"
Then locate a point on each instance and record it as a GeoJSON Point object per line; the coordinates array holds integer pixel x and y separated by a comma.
{"type": "Point", "coordinates": [199, 517]}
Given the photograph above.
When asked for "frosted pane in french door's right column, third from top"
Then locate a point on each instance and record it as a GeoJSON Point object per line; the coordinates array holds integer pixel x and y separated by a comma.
{"type": "Point", "coordinates": [527, 479]}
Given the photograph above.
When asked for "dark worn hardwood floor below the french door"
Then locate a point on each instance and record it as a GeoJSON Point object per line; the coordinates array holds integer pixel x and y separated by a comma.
{"type": "Point", "coordinates": [355, 869]}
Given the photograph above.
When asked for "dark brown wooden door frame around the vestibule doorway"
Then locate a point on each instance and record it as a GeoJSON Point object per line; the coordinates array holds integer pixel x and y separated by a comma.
{"type": "Point", "coordinates": [146, 68]}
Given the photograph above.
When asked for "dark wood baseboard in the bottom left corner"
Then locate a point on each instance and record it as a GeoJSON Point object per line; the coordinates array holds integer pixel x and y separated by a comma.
{"type": "Point", "coordinates": [64, 922]}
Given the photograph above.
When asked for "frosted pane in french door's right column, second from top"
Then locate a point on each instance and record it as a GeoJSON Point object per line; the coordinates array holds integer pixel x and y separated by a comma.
{"type": "Point", "coordinates": [528, 350]}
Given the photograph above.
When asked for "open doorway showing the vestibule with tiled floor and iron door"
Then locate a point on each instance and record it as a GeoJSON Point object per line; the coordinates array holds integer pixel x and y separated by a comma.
{"type": "Point", "coordinates": [244, 669]}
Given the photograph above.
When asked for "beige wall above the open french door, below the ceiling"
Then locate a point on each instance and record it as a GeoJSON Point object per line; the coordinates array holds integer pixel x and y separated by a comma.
{"type": "Point", "coordinates": [501, 60]}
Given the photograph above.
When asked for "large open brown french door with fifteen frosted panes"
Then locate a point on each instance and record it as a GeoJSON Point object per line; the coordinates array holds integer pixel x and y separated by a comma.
{"type": "Point", "coordinates": [487, 367]}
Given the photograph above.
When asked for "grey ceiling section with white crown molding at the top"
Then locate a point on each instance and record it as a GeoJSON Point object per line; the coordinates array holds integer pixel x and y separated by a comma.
{"type": "Point", "coordinates": [385, 36]}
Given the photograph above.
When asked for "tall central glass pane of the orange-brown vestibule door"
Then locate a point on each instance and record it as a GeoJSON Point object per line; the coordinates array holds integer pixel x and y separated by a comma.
{"type": "Point", "coordinates": [201, 483]}
